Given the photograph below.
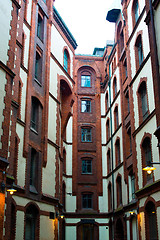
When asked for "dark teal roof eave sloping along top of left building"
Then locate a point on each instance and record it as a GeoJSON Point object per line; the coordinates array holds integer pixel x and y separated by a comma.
{"type": "Point", "coordinates": [64, 28]}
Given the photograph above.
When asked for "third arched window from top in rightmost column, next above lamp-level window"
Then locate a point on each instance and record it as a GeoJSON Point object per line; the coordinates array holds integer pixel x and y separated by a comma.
{"type": "Point", "coordinates": [143, 108]}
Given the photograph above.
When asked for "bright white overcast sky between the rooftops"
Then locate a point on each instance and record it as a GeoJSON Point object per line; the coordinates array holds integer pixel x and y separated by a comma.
{"type": "Point", "coordinates": [86, 20]}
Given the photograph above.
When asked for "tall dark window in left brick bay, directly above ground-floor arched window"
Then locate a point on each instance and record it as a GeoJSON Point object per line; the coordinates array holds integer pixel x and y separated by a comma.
{"type": "Point", "coordinates": [34, 169]}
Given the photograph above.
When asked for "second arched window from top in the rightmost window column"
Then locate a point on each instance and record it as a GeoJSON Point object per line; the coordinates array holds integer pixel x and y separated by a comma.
{"type": "Point", "coordinates": [139, 51]}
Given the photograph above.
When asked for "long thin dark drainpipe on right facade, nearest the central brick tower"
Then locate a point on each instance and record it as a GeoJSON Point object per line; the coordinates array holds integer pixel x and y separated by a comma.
{"type": "Point", "coordinates": [109, 84]}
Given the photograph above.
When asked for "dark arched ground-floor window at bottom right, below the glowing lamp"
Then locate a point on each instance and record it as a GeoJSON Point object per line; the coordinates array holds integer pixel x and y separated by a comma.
{"type": "Point", "coordinates": [151, 221]}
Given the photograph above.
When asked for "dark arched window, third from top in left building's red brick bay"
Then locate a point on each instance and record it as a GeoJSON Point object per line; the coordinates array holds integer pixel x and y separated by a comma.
{"type": "Point", "coordinates": [34, 114]}
